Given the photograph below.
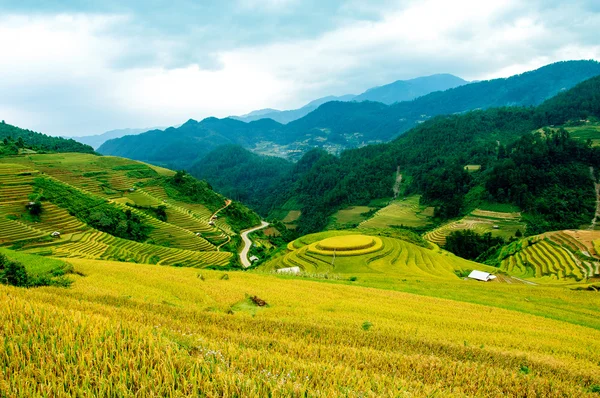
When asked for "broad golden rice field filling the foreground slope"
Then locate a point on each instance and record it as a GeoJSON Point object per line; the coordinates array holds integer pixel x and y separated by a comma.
{"type": "Point", "coordinates": [142, 330]}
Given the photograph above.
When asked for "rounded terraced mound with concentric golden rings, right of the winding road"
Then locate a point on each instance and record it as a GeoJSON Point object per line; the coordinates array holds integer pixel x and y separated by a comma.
{"type": "Point", "coordinates": [313, 254]}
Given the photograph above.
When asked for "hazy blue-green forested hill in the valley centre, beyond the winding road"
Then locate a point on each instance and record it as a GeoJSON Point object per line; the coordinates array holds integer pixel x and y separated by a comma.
{"type": "Point", "coordinates": [240, 174]}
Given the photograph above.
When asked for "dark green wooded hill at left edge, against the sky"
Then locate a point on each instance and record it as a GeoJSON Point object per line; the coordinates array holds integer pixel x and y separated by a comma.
{"type": "Point", "coordinates": [14, 139]}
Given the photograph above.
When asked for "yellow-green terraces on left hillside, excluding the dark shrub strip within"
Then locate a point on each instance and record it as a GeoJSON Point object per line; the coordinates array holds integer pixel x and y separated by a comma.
{"type": "Point", "coordinates": [186, 238]}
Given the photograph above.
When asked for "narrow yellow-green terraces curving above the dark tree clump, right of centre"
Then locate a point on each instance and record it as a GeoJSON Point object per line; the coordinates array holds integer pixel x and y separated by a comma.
{"type": "Point", "coordinates": [480, 221]}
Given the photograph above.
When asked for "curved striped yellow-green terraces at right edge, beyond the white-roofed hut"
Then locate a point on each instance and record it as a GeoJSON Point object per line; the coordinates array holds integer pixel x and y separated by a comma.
{"type": "Point", "coordinates": [556, 256]}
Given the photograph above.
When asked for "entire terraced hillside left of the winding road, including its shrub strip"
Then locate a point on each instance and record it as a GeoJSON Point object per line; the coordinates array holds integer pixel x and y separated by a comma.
{"type": "Point", "coordinates": [117, 209]}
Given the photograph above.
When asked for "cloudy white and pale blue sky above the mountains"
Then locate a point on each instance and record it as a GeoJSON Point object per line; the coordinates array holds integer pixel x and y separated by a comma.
{"type": "Point", "coordinates": [85, 67]}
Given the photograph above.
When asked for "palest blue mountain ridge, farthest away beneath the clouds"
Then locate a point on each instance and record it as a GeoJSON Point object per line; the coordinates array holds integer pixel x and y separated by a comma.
{"type": "Point", "coordinates": [400, 90]}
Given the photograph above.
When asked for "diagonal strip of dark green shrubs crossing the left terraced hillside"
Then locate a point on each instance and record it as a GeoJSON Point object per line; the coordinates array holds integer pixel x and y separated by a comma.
{"type": "Point", "coordinates": [95, 211]}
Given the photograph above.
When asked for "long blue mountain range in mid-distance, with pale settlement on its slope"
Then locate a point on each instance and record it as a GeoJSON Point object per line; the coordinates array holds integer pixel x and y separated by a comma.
{"type": "Point", "coordinates": [336, 125]}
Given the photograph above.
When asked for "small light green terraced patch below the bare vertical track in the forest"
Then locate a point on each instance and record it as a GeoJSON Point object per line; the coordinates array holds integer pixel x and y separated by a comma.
{"type": "Point", "coordinates": [405, 212]}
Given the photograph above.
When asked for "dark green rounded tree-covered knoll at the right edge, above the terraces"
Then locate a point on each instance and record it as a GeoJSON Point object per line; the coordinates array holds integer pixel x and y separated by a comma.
{"type": "Point", "coordinates": [547, 175]}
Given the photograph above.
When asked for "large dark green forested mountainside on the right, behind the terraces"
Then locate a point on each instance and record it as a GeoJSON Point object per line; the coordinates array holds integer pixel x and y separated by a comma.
{"type": "Point", "coordinates": [539, 173]}
